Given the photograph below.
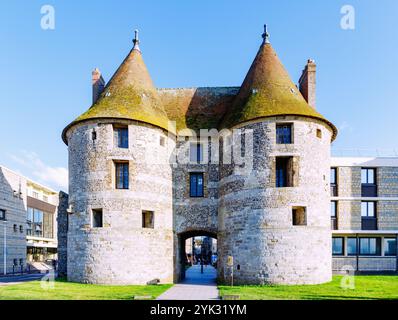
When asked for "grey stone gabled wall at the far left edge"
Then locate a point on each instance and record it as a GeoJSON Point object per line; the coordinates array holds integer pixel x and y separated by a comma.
{"type": "Point", "coordinates": [13, 200]}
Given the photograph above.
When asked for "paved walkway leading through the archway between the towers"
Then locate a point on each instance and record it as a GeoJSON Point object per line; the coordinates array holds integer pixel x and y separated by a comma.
{"type": "Point", "coordinates": [196, 286]}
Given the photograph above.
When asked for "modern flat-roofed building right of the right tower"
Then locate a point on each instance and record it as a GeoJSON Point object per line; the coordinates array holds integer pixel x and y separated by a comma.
{"type": "Point", "coordinates": [364, 214]}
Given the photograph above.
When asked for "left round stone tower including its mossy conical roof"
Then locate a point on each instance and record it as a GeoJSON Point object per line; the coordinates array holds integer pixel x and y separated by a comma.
{"type": "Point", "coordinates": [121, 219]}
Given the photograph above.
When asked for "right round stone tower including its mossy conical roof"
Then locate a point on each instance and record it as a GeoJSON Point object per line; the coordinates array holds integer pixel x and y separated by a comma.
{"type": "Point", "coordinates": [274, 211]}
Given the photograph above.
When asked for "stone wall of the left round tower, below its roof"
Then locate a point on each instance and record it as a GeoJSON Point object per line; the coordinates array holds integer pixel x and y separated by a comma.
{"type": "Point", "coordinates": [122, 251]}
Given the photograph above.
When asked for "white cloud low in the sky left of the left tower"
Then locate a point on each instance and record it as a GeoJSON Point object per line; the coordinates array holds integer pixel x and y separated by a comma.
{"type": "Point", "coordinates": [57, 177]}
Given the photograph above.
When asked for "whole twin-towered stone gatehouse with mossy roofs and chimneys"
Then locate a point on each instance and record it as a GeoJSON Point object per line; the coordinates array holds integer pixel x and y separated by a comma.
{"type": "Point", "coordinates": [131, 205]}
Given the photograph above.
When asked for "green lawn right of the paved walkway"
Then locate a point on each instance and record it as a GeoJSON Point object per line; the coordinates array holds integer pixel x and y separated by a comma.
{"type": "Point", "coordinates": [366, 287]}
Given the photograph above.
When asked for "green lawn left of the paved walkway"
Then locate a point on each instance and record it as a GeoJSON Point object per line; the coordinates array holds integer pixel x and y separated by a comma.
{"type": "Point", "coordinates": [75, 291]}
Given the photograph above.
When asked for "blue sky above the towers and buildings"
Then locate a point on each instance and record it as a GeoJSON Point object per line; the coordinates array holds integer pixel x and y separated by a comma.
{"type": "Point", "coordinates": [45, 75]}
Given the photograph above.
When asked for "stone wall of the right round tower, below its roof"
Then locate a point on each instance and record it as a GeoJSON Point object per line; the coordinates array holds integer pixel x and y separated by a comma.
{"type": "Point", "coordinates": [255, 217]}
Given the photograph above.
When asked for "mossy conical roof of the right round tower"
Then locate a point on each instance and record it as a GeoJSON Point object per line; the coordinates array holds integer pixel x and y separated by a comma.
{"type": "Point", "coordinates": [268, 91]}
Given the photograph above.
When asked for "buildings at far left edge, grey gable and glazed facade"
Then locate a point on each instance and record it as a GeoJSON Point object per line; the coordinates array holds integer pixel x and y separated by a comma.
{"type": "Point", "coordinates": [28, 218]}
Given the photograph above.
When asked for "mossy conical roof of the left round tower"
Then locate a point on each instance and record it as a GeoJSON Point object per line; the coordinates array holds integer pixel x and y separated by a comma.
{"type": "Point", "coordinates": [130, 94]}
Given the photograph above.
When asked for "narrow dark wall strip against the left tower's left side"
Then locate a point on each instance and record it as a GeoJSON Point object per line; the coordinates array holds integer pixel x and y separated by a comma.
{"type": "Point", "coordinates": [62, 223]}
